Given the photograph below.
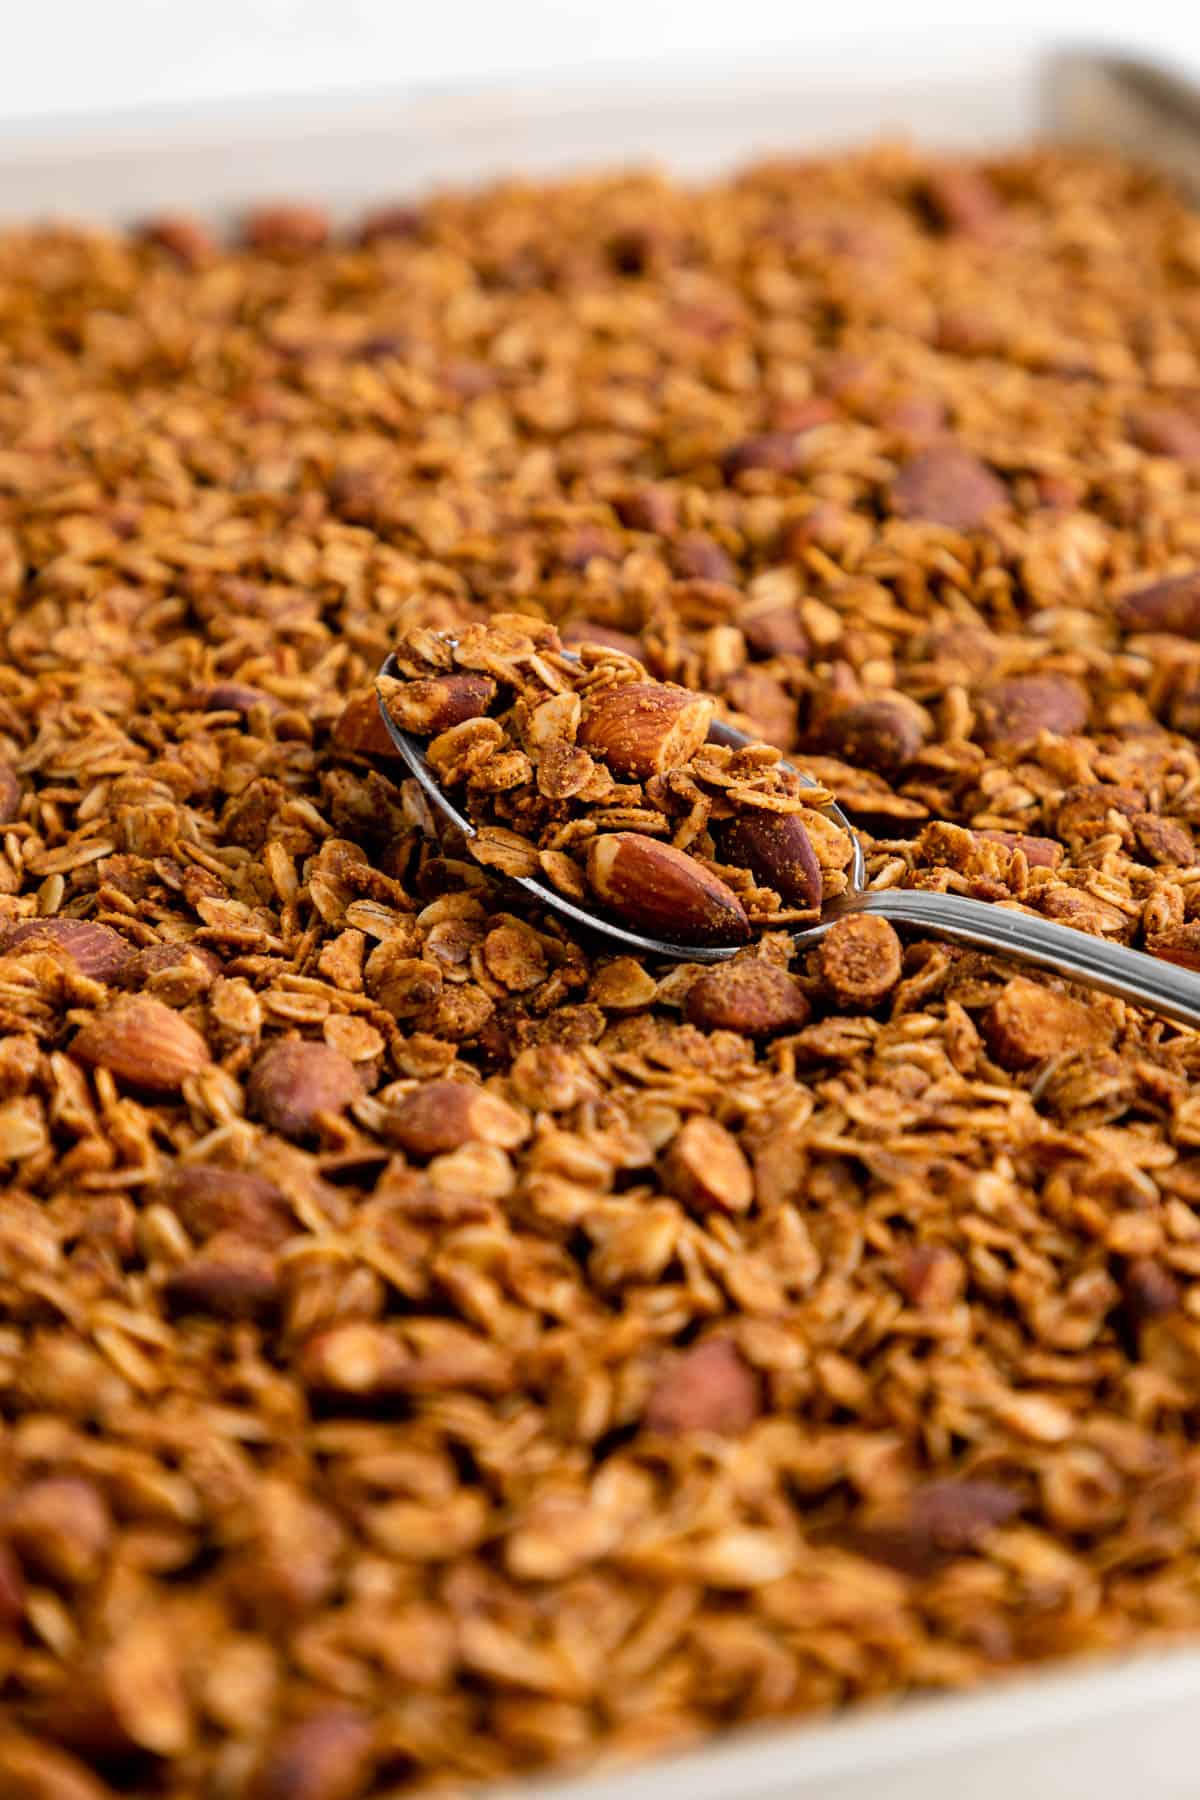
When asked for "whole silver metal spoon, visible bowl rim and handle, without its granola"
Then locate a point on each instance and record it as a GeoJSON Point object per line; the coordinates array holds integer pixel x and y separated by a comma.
{"type": "Point", "coordinates": [989, 926]}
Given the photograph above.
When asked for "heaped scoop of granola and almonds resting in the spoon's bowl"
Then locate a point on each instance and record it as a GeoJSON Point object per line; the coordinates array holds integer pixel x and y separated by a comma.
{"type": "Point", "coordinates": [605, 784]}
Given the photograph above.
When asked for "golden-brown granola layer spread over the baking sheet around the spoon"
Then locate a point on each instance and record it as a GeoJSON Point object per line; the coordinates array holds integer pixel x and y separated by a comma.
{"type": "Point", "coordinates": [433, 1349]}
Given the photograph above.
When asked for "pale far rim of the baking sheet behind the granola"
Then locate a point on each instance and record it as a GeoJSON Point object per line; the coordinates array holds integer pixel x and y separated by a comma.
{"type": "Point", "coordinates": [352, 154]}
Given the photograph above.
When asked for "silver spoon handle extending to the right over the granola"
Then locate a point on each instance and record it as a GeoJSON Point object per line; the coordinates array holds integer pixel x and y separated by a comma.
{"type": "Point", "coordinates": [1111, 967]}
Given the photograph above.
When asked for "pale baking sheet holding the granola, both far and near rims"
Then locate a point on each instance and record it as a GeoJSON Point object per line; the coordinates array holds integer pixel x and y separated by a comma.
{"type": "Point", "coordinates": [1100, 1732]}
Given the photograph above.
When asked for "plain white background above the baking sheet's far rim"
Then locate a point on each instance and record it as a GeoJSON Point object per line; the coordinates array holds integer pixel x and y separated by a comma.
{"type": "Point", "coordinates": [93, 57]}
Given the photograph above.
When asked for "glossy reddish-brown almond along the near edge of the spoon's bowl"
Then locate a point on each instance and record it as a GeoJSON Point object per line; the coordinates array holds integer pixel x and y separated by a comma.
{"type": "Point", "coordinates": [659, 890]}
